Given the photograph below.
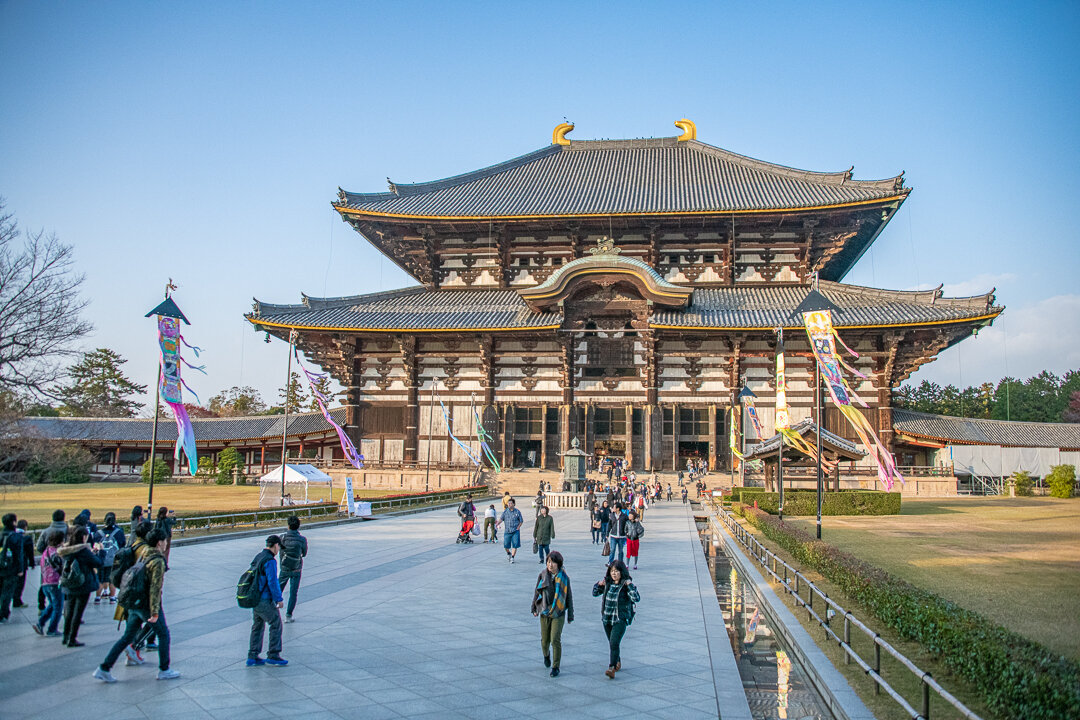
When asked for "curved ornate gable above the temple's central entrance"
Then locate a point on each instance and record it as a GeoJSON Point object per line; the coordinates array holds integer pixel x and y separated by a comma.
{"type": "Point", "coordinates": [604, 269]}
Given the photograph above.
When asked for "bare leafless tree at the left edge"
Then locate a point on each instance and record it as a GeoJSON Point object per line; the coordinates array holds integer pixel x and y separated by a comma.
{"type": "Point", "coordinates": [40, 308]}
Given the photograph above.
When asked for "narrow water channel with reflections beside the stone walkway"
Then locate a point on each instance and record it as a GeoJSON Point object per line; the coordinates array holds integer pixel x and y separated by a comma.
{"type": "Point", "coordinates": [777, 688]}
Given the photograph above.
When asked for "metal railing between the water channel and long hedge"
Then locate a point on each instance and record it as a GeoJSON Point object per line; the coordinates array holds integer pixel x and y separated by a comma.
{"type": "Point", "coordinates": [793, 581]}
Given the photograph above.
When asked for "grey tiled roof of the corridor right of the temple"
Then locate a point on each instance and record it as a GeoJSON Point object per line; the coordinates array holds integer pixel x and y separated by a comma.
{"type": "Point", "coordinates": [968, 431]}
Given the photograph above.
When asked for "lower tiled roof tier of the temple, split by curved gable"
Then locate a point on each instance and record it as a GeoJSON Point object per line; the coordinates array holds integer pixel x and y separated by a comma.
{"type": "Point", "coordinates": [741, 307]}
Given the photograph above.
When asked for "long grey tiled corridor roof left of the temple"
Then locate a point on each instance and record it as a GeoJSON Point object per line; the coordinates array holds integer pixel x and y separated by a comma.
{"type": "Point", "coordinates": [140, 430]}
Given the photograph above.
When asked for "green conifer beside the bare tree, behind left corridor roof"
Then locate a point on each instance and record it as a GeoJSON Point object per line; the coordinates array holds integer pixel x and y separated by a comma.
{"type": "Point", "coordinates": [100, 389]}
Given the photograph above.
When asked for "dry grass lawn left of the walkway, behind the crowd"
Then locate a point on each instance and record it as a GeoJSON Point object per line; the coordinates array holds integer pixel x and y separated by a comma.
{"type": "Point", "coordinates": [37, 502]}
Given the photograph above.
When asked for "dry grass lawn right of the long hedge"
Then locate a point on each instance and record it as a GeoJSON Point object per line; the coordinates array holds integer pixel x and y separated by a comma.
{"type": "Point", "coordinates": [1016, 561]}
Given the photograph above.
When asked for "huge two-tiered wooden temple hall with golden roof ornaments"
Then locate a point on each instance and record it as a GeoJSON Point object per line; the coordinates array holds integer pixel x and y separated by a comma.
{"type": "Point", "coordinates": [619, 292]}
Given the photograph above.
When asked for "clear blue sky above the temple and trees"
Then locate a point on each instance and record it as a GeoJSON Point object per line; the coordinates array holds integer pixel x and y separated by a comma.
{"type": "Point", "coordinates": [206, 142]}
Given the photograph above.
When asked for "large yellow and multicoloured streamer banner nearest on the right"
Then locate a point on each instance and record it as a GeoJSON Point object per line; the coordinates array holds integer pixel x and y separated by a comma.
{"type": "Point", "coordinates": [820, 331]}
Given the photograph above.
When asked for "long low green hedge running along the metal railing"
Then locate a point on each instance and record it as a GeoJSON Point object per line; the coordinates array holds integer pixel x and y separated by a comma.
{"type": "Point", "coordinates": [1017, 677]}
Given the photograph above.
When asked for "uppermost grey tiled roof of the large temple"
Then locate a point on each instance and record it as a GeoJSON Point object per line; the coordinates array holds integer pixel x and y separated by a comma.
{"type": "Point", "coordinates": [606, 178]}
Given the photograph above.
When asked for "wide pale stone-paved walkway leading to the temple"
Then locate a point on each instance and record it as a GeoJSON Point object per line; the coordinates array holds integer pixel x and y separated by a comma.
{"type": "Point", "coordinates": [396, 620]}
